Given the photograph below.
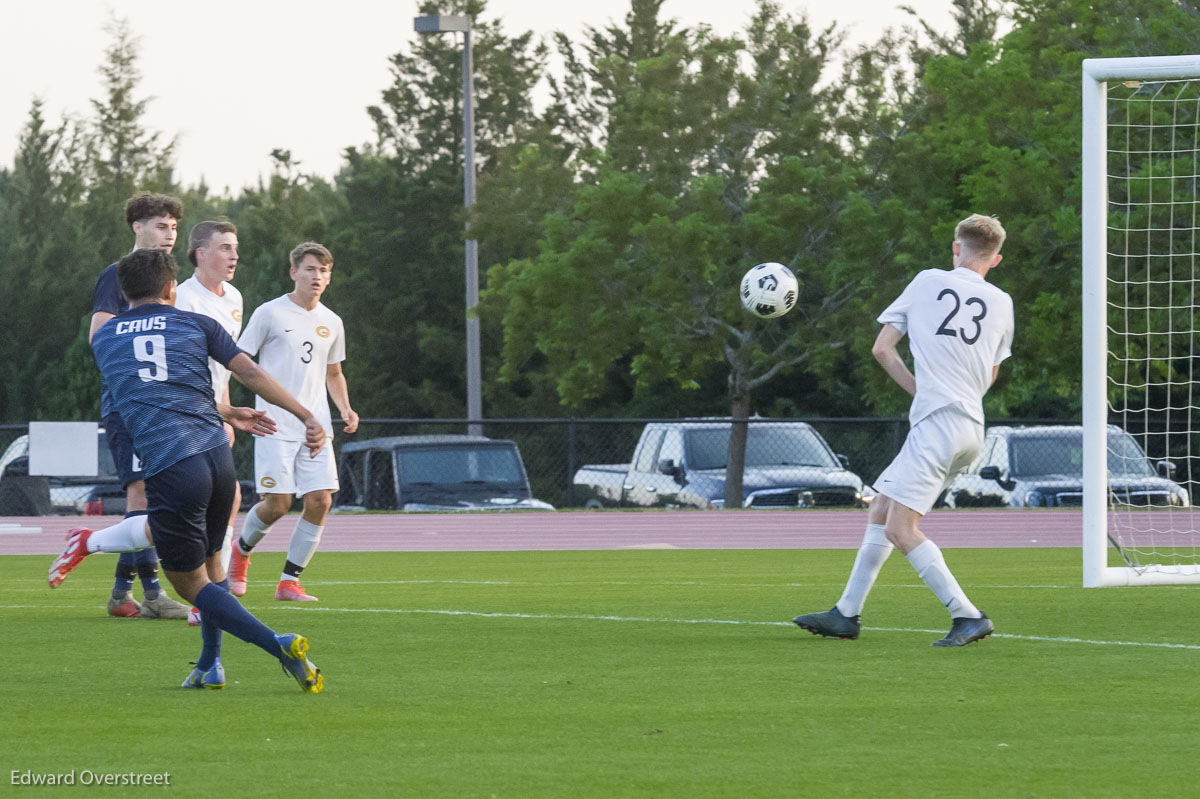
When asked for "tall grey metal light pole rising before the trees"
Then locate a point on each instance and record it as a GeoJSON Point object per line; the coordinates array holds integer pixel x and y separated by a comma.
{"type": "Point", "coordinates": [445, 25]}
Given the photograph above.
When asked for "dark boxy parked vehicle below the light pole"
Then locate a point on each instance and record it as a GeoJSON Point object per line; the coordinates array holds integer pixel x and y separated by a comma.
{"type": "Point", "coordinates": [434, 473]}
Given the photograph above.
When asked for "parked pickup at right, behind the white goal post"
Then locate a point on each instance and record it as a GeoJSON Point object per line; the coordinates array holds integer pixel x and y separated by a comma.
{"type": "Point", "coordinates": [1043, 467]}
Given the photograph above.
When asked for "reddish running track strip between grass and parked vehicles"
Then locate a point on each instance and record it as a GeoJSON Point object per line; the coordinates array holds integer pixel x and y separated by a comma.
{"type": "Point", "coordinates": [615, 531]}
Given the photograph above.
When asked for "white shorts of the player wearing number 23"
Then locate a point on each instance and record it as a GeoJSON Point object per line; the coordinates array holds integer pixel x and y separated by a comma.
{"type": "Point", "coordinates": [938, 449]}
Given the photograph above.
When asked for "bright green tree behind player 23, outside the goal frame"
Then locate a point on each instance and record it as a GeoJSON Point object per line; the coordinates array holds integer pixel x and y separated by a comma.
{"type": "Point", "coordinates": [994, 128]}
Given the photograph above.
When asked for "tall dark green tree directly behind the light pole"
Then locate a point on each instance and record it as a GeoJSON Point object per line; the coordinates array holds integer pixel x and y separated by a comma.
{"type": "Point", "coordinates": [403, 229]}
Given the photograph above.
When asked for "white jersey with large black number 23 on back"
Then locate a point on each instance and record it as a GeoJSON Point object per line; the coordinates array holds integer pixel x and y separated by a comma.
{"type": "Point", "coordinates": [959, 327]}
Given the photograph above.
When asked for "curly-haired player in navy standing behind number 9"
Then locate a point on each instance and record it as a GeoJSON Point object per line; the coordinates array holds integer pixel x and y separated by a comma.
{"type": "Point", "coordinates": [154, 220]}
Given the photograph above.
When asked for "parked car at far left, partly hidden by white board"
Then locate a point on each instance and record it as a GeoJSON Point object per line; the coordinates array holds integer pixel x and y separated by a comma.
{"type": "Point", "coordinates": [22, 495]}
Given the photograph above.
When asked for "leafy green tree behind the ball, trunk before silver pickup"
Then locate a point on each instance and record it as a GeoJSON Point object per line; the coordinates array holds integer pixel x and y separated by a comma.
{"type": "Point", "coordinates": [705, 167]}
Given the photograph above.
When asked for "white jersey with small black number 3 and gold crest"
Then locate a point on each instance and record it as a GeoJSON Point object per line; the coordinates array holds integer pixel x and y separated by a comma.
{"type": "Point", "coordinates": [296, 346]}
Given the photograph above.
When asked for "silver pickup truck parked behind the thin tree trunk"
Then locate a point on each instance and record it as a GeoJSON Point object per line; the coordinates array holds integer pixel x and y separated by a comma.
{"type": "Point", "coordinates": [682, 465]}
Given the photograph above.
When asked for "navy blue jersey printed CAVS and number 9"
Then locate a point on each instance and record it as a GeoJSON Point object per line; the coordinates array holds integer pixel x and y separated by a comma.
{"type": "Point", "coordinates": [155, 359]}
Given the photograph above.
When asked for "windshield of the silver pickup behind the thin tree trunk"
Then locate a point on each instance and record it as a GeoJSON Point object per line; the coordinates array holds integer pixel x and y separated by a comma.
{"type": "Point", "coordinates": [766, 446]}
